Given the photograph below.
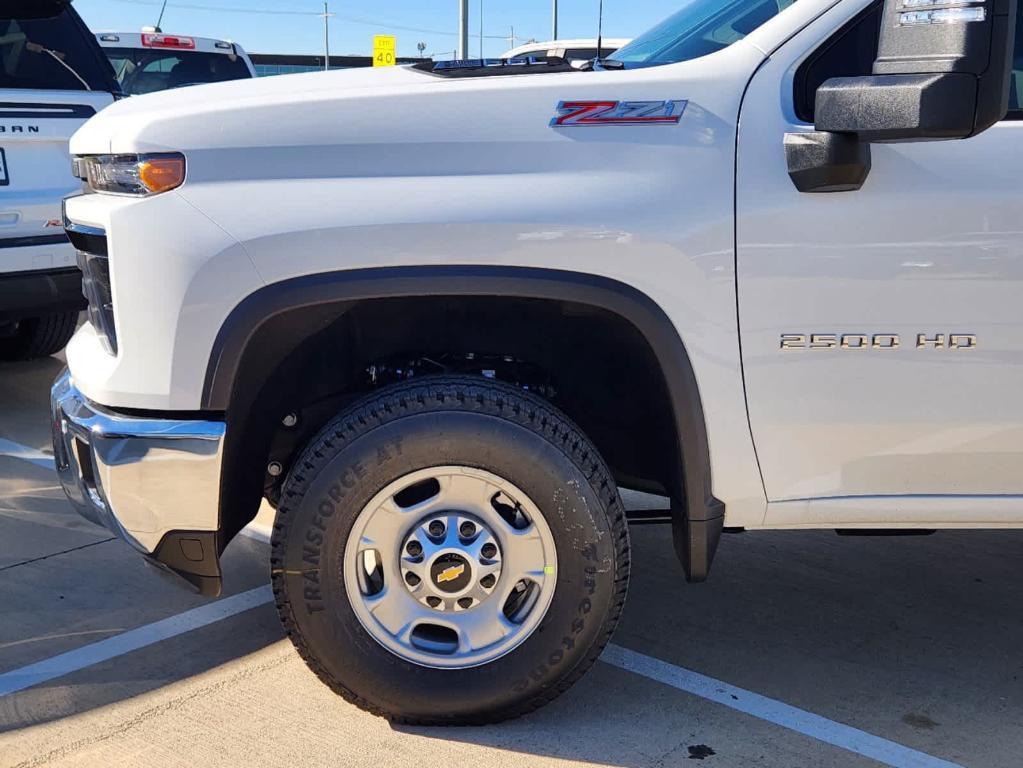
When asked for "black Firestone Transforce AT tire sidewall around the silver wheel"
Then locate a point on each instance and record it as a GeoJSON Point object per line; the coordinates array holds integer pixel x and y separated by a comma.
{"type": "Point", "coordinates": [323, 502]}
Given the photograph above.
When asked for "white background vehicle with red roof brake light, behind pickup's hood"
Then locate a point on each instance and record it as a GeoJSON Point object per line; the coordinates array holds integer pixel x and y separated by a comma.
{"type": "Point", "coordinates": [149, 62]}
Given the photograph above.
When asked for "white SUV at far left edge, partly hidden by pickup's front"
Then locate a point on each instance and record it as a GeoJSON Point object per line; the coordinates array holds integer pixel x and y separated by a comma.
{"type": "Point", "coordinates": [53, 79]}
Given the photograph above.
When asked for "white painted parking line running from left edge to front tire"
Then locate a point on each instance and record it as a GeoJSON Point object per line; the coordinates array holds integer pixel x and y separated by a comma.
{"type": "Point", "coordinates": [104, 651]}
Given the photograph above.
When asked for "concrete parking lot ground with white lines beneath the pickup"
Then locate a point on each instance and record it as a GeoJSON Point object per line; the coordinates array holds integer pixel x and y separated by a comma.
{"type": "Point", "coordinates": [804, 650]}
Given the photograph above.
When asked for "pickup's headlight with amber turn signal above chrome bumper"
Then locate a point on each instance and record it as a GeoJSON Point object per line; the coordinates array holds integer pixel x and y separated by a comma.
{"type": "Point", "coordinates": [132, 174]}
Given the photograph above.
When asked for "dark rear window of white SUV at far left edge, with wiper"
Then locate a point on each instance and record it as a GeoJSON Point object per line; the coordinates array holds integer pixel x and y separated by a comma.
{"type": "Point", "coordinates": [47, 48]}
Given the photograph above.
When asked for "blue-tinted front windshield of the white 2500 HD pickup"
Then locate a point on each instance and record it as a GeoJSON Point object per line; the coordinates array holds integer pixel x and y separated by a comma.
{"type": "Point", "coordinates": [701, 27]}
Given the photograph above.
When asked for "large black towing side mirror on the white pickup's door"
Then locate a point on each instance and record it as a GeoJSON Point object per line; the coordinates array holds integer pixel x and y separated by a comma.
{"type": "Point", "coordinates": [943, 72]}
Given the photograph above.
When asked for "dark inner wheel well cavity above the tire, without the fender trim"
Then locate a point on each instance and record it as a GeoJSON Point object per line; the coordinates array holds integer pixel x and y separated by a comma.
{"type": "Point", "coordinates": [594, 366]}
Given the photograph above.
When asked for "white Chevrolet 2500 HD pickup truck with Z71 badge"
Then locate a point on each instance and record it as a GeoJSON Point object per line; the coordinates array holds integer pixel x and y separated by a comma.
{"type": "Point", "coordinates": [438, 315]}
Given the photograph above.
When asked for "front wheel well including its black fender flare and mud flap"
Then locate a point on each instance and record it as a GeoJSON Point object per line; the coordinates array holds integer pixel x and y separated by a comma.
{"type": "Point", "coordinates": [603, 353]}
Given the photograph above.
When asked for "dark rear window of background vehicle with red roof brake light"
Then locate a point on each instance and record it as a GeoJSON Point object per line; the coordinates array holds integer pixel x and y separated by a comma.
{"type": "Point", "coordinates": [145, 71]}
